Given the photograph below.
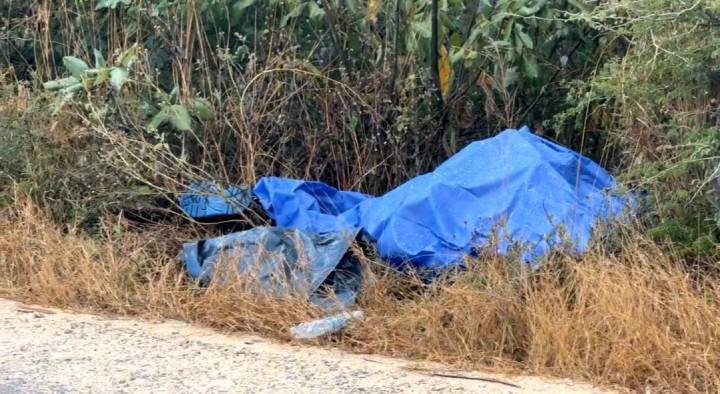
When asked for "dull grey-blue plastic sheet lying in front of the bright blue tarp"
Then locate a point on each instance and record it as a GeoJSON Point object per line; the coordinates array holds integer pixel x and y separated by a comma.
{"type": "Point", "coordinates": [280, 262]}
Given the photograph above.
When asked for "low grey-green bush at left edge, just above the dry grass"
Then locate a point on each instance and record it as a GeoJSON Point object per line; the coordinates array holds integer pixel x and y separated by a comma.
{"type": "Point", "coordinates": [71, 177]}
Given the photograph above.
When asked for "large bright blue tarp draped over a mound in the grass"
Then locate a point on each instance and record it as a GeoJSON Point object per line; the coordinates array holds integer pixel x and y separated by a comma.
{"type": "Point", "coordinates": [525, 189]}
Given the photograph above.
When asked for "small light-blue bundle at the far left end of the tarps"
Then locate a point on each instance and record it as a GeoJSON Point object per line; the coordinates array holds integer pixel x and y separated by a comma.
{"type": "Point", "coordinates": [206, 200]}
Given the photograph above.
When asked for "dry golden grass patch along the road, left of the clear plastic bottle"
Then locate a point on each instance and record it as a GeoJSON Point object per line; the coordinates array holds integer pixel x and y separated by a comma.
{"type": "Point", "coordinates": [127, 272]}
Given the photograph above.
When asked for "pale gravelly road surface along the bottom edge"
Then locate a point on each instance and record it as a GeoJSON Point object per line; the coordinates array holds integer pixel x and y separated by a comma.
{"type": "Point", "coordinates": [54, 351]}
